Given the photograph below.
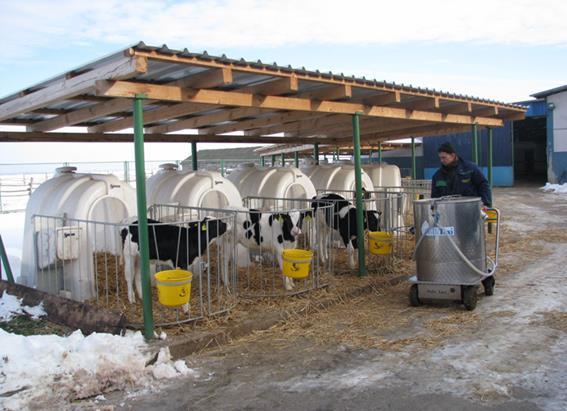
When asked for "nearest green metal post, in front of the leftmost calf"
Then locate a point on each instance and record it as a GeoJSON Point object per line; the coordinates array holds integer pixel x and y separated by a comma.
{"type": "Point", "coordinates": [144, 245]}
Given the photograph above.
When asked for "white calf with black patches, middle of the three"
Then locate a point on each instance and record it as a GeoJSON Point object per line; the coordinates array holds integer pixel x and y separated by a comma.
{"type": "Point", "coordinates": [271, 232]}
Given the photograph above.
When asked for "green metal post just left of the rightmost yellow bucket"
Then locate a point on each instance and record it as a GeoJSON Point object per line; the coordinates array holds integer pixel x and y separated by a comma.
{"type": "Point", "coordinates": [359, 204]}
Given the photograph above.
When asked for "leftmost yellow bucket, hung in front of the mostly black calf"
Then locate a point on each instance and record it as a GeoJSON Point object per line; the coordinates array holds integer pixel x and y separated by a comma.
{"type": "Point", "coordinates": [174, 287]}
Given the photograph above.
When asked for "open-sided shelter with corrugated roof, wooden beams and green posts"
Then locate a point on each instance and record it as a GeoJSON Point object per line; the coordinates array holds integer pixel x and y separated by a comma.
{"type": "Point", "coordinates": [162, 91]}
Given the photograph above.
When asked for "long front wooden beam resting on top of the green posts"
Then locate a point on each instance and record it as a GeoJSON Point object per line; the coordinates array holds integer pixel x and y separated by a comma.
{"type": "Point", "coordinates": [238, 99]}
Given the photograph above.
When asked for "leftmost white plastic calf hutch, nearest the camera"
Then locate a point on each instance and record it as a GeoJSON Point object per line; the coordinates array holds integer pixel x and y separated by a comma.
{"type": "Point", "coordinates": [58, 250]}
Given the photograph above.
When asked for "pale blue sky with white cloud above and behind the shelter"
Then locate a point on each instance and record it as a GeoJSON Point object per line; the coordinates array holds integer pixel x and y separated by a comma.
{"type": "Point", "coordinates": [503, 50]}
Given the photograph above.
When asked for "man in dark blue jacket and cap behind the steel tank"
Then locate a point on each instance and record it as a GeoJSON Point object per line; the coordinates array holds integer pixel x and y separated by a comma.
{"type": "Point", "coordinates": [458, 176]}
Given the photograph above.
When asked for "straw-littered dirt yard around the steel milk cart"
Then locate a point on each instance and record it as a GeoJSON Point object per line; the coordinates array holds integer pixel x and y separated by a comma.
{"type": "Point", "coordinates": [376, 352]}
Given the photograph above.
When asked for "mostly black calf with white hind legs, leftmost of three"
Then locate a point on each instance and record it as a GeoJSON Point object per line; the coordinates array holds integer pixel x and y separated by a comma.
{"type": "Point", "coordinates": [175, 245]}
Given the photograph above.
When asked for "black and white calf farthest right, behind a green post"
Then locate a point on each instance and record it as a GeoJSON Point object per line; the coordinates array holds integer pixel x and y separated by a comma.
{"type": "Point", "coordinates": [341, 220]}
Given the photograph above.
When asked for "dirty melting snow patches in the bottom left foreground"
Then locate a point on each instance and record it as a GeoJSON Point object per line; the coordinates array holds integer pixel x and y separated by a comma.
{"type": "Point", "coordinates": [47, 371]}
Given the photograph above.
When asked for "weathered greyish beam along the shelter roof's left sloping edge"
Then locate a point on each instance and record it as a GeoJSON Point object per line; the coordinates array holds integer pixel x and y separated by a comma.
{"type": "Point", "coordinates": [122, 68]}
